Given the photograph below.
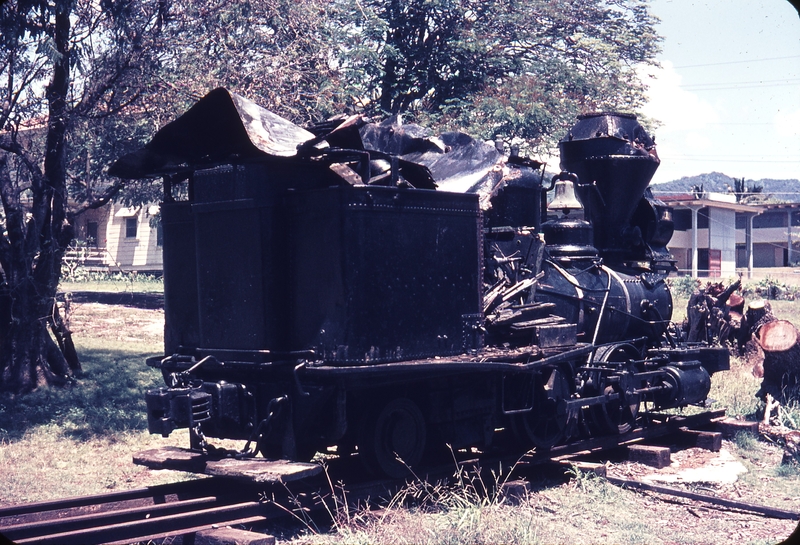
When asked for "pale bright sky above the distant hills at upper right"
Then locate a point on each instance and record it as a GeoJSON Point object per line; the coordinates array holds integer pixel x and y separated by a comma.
{"type": "Point", "coordinates": [728, 92]}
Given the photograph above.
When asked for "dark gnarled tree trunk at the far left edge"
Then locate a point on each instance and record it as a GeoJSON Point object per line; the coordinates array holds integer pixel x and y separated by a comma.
{"type": "Point", "coordinates": [37, 233]}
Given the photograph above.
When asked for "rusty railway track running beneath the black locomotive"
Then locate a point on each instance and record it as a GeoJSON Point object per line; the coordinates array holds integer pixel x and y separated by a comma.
{"type": "Point", "coordinates": [184, 508]}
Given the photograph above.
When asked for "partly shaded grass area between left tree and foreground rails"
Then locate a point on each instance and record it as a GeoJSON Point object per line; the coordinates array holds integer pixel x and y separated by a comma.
{"type": "Point", "coordinates": [79, 440]}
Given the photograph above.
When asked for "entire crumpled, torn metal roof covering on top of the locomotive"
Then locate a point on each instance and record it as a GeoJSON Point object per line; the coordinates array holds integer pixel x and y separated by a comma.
{"type": "Point", "coordinates": [225, 128]}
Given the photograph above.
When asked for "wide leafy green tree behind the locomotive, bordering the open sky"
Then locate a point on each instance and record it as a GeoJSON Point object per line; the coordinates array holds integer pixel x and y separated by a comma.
{"type": "Point", "coordinates": [512, 67]}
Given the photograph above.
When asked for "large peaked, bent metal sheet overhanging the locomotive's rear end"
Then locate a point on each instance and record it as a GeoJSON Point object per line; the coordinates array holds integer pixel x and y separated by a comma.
{"type": "Point", "coordinates": [221, 127]}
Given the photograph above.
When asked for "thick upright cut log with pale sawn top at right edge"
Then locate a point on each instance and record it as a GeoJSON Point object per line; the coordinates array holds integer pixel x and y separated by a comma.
{"type": "Point", "coordinates": [779, 341]}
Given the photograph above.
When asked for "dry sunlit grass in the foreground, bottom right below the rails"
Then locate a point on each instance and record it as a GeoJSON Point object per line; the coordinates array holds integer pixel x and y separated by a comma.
{"type": "Point", "coordinates": [585, 510]}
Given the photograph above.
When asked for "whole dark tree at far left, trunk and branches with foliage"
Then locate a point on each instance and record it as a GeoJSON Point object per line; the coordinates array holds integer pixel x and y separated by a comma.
{"type": "Point", "coordinates": [68, 68]}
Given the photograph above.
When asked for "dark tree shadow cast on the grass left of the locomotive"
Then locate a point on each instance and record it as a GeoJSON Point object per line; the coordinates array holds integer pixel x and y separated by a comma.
{"type": "Point", "coordinates": [107, 398]}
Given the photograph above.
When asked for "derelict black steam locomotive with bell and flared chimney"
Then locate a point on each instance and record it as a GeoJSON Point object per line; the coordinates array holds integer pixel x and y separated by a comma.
{"type": "Point", "coordinates": [322, 294]}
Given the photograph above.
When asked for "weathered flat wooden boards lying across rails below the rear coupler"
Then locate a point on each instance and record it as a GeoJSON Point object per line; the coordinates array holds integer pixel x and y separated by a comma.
{"type": "Point", "coordinates": [258, 470]}
